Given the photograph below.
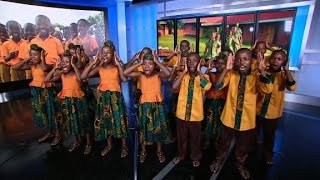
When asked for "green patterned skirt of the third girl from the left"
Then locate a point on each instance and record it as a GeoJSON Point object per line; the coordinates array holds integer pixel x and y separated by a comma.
{"type": "Point", "coordinates": [111, 118]}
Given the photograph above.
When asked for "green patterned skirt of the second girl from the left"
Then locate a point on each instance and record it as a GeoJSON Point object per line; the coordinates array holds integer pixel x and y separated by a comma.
{"type": "Point", "coordinates": [74, 117]}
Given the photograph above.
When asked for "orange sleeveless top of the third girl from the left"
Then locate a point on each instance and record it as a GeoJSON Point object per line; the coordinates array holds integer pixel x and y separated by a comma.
{"type": "Point", "coordinates": [109, 79]}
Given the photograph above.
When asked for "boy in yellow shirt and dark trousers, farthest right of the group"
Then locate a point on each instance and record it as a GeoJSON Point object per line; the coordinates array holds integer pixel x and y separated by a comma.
{"type": "Point", "coordinates": [270, 106]}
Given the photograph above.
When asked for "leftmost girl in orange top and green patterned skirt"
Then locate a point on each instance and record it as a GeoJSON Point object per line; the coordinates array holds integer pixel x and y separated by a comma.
{"type": "Point", "coordinates": [44, 95]}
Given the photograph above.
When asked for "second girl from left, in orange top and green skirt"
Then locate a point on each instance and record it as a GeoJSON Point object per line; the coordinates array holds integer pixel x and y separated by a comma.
{"type": "Point", "coordinates": [74, 110]}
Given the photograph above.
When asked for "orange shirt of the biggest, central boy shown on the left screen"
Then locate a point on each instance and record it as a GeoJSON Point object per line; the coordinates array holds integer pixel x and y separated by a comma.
{"type": "Point", "coordinates": [51, 45]}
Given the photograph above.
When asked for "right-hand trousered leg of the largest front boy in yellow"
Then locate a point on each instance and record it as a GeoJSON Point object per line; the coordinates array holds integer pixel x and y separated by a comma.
{"type": "Point", "coordinates": [244, 143]}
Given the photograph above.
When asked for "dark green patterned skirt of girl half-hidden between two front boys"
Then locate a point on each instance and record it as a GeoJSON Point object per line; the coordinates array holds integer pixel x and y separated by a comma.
{"type": "Point", "coordinates": [212, 122]}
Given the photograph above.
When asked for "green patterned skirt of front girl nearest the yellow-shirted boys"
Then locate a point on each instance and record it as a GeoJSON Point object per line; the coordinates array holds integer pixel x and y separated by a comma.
{"type": "Point", "coordinates": [153, 123]}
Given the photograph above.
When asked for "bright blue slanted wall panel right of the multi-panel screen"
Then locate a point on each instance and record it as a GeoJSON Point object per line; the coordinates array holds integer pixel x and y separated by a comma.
{"type": "Point", "coordinates": [297, 35]}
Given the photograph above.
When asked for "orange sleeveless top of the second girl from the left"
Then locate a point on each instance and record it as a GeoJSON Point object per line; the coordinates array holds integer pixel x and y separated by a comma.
{"type": "Point", "coordinates": [71, 87]}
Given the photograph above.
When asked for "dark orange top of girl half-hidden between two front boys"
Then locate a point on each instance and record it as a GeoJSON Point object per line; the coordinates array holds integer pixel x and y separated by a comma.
{"type": "Point", "coordinates": [215, 93]}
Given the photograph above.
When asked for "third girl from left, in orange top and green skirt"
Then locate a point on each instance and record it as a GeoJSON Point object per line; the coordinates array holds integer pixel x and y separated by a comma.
{"type": "Point", "coordinates": [111, 119]}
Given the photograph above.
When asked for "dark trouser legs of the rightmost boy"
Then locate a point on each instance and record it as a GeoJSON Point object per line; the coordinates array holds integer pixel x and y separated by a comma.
{"type": "Point", "coordinates": [269, 130]}
